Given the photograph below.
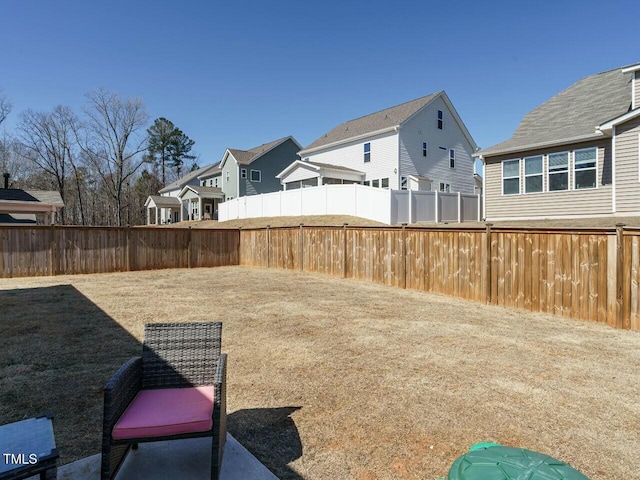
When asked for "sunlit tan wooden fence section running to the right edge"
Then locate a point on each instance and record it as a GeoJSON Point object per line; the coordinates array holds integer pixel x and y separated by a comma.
{"type": "Point", "coordinates": [585, 274]}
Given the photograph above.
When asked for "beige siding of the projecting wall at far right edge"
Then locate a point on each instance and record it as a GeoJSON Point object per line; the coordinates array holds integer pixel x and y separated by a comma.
{"type": "Point", "coordinates": [627, 160]}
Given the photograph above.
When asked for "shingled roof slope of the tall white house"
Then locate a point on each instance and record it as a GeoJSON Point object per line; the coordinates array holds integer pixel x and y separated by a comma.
{"type": "Point", "coordinates": [387, 118]}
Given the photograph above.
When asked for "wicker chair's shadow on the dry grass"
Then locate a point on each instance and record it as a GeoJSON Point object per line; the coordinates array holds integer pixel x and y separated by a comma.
{"type": "Point", "coordinates": [271, 435]}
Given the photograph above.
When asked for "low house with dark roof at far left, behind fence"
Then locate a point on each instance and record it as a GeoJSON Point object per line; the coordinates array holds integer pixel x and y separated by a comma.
{"type": "Point", "coordinates": [20, 207]}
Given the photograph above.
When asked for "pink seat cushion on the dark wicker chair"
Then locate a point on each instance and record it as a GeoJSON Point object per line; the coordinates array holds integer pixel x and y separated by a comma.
{"type": "Point", "coordinates": [172, 411]}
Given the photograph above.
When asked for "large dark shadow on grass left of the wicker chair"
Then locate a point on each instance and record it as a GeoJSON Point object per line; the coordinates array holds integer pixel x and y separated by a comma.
{"type": "Point", "coordinates": [57, 352]}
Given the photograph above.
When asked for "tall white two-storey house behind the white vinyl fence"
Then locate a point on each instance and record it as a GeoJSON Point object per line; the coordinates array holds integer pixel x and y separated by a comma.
{"type": "Point", "coordinates": [419, 145]}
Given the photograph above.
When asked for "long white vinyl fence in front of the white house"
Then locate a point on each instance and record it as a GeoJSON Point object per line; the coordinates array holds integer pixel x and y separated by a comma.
{"type": "Point", "coordinates": [382, 205]}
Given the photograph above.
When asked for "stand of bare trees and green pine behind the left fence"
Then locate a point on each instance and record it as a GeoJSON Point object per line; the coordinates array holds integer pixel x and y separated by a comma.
{"type": "Point", "coordinates": [104, 162]}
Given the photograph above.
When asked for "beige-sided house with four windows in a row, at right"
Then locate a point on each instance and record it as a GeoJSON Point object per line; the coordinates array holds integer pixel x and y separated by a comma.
{"type": "Point", "coordinates": [576, 155]}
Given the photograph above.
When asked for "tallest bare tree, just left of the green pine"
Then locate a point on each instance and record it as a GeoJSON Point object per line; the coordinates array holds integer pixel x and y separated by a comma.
{"type": "Point", "coordinates": [113, 139]}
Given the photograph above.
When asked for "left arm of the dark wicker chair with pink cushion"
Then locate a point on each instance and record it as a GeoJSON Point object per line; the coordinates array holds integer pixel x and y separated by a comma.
{"type": "Point", "coordinates": [120, 391]}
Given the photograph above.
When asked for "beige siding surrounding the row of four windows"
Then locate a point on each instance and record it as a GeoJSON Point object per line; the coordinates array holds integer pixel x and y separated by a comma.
{"type": "Point", "coordinates": [586, 202]}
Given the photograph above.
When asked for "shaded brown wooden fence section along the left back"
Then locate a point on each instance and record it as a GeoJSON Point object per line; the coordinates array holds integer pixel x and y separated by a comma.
{"type": "Point", "coordinates": [56, 250]}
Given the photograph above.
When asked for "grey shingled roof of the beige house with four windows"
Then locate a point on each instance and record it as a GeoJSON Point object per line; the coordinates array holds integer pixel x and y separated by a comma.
{"type": "Point", "coordinates": [572, 115]}
